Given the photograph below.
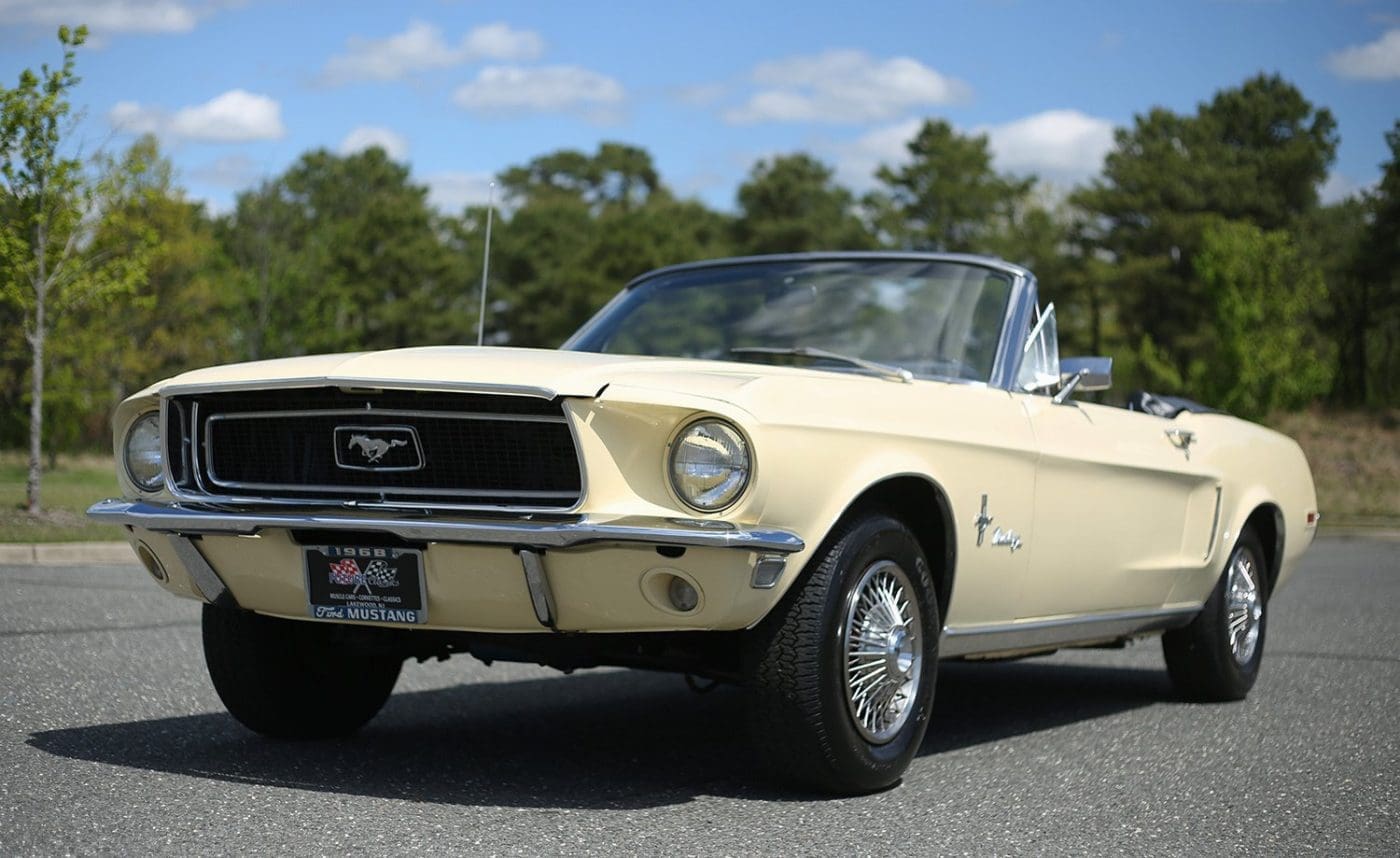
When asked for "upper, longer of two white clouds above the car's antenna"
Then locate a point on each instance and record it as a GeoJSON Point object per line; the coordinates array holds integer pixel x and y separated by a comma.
{"type": "Point", "coordinates": [423, 48]}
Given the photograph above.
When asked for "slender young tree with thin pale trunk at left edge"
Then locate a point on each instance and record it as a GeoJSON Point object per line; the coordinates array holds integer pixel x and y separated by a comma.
{"type": "Point", "coordinates": [52, 206]}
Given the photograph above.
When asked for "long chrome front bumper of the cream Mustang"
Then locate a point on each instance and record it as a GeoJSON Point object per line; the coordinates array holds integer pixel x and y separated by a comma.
{"type": "Point", "coordinates": [561, 533]}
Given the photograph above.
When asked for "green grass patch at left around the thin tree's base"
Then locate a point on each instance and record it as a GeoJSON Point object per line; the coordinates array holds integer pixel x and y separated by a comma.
{"type": "Point", "coordinates": [68, 492]}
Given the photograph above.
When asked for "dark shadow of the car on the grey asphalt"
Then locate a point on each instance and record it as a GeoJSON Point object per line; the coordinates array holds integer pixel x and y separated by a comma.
{"type": "Point", "coordinates": [619, 740]}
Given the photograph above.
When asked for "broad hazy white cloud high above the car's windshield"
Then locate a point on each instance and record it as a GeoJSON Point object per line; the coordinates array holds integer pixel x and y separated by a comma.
{"type": "Point", "coordinates": [843, 87]}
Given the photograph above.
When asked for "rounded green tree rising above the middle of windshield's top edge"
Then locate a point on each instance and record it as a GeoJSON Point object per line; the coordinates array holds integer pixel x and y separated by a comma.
{"type": "Point", "coordinates": [793, 204]}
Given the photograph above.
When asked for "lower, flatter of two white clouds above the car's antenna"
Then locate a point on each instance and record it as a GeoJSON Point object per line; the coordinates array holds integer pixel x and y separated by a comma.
{"type": "Point", "coordinates": [545, 89]}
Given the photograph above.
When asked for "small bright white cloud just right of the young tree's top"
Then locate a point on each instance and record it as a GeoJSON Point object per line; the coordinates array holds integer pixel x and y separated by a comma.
{"type": "Point", "coordinates": [236, 117]}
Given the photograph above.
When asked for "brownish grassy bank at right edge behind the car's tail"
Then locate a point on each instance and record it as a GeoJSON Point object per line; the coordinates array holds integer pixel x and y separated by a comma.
{"type": "Point", "coordinates": [1356, 464]}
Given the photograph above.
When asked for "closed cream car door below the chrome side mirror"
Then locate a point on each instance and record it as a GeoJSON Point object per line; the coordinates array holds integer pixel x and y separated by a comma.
{"type": "Point", "coordinates": [1122, 509]}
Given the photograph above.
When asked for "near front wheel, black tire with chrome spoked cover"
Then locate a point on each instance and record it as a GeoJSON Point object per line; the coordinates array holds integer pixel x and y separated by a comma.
{"type": "Point", "coordinates": [842, 673]}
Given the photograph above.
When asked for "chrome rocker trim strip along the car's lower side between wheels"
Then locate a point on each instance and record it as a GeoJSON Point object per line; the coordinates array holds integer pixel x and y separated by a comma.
{"type": "Point", "coordinates": [1060, 632]}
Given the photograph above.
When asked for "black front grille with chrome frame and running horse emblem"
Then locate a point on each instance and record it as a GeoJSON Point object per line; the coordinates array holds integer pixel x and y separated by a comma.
{"type": "Point", "coordinates": [411, 447]}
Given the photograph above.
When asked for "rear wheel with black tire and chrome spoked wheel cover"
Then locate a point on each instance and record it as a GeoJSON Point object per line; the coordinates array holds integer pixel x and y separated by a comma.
{"type": "Point", "coordinates": [1217, 657]}
